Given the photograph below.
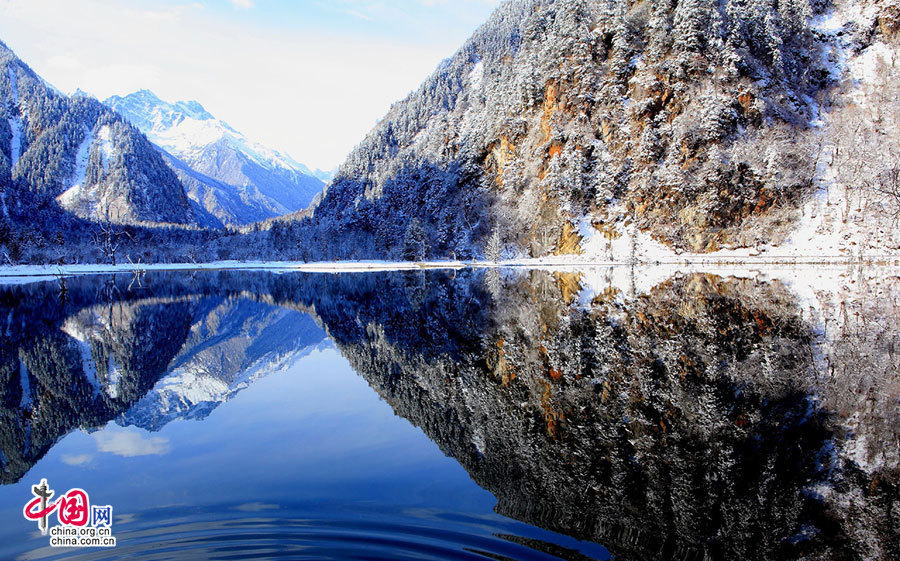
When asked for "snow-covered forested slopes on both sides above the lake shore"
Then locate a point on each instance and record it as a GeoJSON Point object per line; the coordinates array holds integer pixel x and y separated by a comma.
{"type": "Point", "coordinates": [612, 129]}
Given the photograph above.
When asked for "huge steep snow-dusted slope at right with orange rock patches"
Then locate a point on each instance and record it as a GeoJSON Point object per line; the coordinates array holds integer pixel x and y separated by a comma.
{"type": "Point", "coordinates": [702, 125]}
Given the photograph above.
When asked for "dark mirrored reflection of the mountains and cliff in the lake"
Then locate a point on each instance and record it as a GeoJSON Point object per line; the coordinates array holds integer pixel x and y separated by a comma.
{"type": "Point", "coordinates": [708, 417]}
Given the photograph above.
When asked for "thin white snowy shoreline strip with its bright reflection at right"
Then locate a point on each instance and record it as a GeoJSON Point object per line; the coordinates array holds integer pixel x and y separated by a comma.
{"type": "Point", "coordinates": [809, 278]}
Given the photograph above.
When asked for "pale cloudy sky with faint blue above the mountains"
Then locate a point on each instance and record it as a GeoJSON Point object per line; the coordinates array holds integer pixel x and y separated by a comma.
{"type": "Point", "coordinates": [308, 77]}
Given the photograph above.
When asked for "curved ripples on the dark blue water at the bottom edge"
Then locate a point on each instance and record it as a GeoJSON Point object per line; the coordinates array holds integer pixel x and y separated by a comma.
{"type": "Point", "coordinates": [269, 531]}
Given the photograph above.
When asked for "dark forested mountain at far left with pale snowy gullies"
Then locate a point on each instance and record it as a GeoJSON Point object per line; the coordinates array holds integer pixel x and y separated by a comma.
{"type": "Point", "coordinates": [78, 154]}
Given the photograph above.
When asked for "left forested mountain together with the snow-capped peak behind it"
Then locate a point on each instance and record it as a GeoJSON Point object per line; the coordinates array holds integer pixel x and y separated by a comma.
{"type": "Point", "coordinates": [134, 160]}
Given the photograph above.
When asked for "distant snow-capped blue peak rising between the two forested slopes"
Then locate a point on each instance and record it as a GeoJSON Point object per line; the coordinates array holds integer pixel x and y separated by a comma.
{"type": "Point", "coordinates": [234, 178]}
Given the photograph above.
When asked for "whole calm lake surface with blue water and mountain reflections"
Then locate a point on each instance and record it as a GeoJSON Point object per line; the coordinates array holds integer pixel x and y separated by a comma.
{"type": "Point", "coordinates": [480, 414]}
